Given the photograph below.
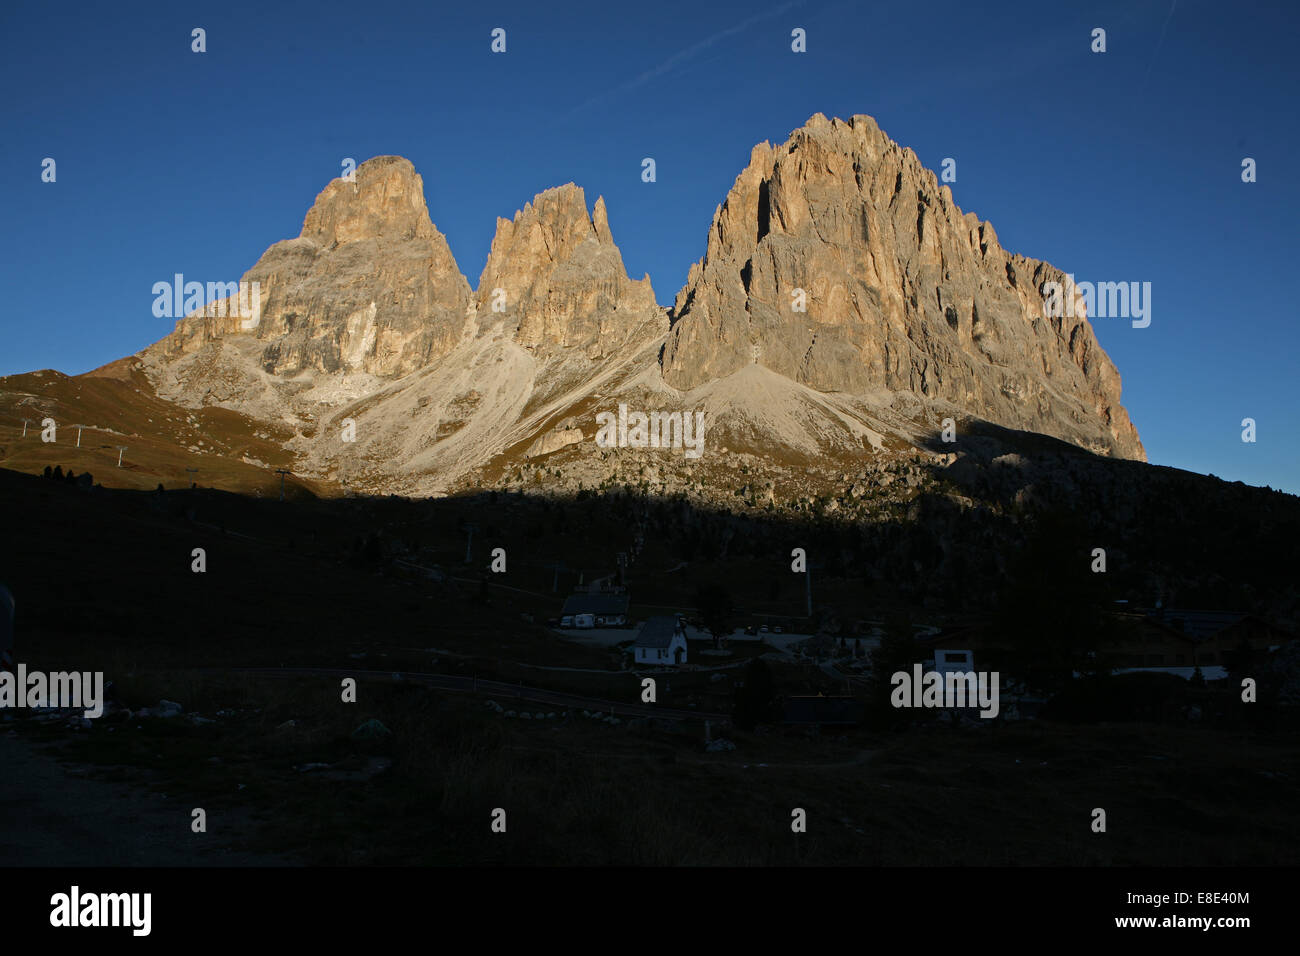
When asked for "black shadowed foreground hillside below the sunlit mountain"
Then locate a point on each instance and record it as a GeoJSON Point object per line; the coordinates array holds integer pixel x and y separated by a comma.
{"type": "Point", "coordinates": [413, 772]}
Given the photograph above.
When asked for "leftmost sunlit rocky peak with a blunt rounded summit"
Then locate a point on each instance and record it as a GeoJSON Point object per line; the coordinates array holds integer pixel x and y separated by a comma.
{"type": "Point", "coordinates": [369, 287]}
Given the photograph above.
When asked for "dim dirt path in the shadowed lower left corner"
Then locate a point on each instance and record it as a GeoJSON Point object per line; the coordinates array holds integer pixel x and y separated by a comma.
{"type": "Point", "coordinates": [55, 815]}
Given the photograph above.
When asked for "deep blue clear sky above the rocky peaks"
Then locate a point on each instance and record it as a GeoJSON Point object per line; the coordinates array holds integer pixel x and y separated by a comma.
{"type": "Point", "coordinates": [1116, 167]}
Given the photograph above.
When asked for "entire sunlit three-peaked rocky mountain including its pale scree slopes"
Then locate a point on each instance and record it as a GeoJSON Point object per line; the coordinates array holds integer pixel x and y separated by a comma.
{"type": "Point", "coordinates": [393, 374]}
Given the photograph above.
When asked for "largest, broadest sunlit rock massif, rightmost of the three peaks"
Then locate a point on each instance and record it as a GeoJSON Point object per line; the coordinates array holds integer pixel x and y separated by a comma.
{"type": "Point", "coordinates": [902, 292]}
